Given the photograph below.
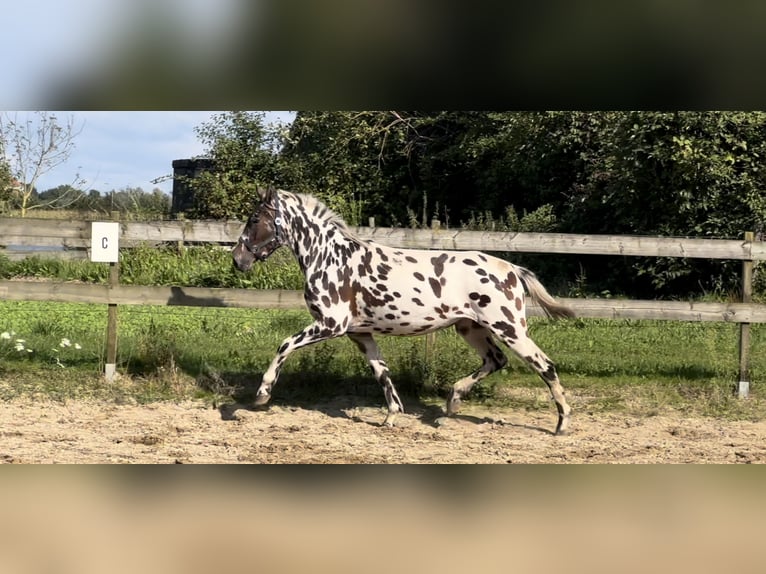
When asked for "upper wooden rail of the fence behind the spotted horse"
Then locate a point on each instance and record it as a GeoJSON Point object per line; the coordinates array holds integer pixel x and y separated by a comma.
{"type": "Point", "coordinates": [67, 236]}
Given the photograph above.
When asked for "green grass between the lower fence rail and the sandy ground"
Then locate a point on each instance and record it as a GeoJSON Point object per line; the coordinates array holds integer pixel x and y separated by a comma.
{"type": "Point", "coordinates": [219, 354]}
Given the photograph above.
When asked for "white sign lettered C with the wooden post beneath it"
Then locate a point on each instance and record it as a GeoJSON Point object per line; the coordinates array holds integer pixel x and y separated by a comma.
{"type": "Point", "coordinates": [105, 248]}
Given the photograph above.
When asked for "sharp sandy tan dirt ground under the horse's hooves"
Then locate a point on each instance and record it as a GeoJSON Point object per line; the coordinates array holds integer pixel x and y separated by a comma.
{"type": "Point", "coordinates": [341, 431]}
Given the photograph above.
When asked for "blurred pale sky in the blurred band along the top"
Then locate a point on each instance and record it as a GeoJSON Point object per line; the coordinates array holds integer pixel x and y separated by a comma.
{"type": "Point", "coordinates": [49, 42]}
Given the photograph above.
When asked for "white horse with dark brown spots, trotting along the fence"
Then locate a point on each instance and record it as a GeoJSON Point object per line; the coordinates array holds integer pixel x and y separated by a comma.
{"type": "Point", "coordinates": [359, 288]}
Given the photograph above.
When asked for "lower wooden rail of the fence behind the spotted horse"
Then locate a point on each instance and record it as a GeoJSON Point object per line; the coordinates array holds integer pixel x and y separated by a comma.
{"type": "Point", "coordinates": [287, 299]}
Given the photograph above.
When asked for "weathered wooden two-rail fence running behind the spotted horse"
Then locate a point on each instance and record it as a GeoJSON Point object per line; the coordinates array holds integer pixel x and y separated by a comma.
{"type": "Point", "coordinates": [61, 238]}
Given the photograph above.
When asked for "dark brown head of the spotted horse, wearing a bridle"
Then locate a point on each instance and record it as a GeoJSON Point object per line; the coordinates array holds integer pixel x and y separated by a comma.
{"type": "Point", "coordinates": [261, 235]}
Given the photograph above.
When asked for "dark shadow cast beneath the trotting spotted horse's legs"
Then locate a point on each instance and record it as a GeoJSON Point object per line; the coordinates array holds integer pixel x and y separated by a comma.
{"type": "Point", "coordinates": [349, 397]}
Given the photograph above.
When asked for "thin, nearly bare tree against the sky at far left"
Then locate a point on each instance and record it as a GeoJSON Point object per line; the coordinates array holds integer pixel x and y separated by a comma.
{"type": "Point", "coordinates": [33, 146]}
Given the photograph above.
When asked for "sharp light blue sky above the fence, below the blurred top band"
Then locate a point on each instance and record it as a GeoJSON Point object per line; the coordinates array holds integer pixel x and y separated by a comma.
{"type": "Point", "coordinates": [123, 149]}
